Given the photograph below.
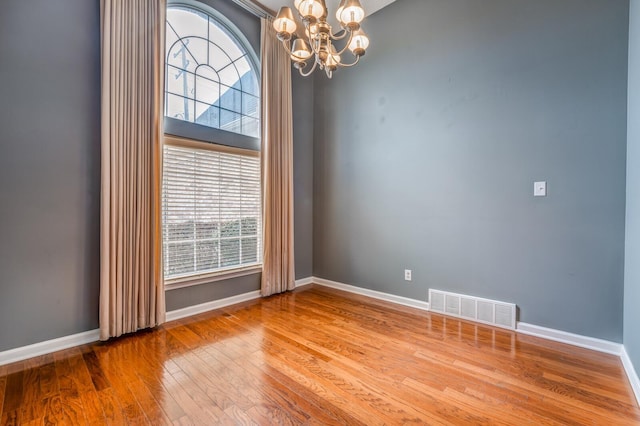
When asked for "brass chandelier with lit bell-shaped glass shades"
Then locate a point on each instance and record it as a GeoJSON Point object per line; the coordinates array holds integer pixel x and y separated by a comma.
{"type": "Point", "coordinates": [319, 44]}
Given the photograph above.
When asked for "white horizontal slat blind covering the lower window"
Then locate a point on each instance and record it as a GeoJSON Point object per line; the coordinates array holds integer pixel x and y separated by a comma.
{"type": "Point", "coordinates": [211, 211]}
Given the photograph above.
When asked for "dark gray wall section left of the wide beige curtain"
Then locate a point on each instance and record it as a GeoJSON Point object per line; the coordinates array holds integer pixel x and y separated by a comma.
{"type": "Point", "coordinates": [49, 169]}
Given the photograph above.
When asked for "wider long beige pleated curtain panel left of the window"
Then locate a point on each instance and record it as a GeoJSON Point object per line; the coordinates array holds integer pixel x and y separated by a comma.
{"type": "Point", "coordinates": [131, 281]}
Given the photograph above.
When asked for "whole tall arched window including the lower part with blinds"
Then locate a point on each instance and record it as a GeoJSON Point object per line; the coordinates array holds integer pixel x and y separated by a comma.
{"type": "Point", "coordinates": [211, 207]}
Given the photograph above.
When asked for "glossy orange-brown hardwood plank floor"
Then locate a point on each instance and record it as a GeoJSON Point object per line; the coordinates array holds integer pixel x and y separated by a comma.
{"type": "Point", "coordinates": [319, 356]}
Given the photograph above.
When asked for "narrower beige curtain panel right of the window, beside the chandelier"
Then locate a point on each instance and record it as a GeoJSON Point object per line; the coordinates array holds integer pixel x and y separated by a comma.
{"type": "Point", "coordinates": [277, 165]}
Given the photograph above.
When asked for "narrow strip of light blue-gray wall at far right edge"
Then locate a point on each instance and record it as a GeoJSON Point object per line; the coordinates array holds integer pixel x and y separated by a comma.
{"type": "Point", "coordinates": [632, 253]}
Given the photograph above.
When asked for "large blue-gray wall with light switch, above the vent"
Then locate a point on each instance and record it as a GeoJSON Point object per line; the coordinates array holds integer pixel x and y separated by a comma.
{"type": "Point", "coordinates": [426, 153]}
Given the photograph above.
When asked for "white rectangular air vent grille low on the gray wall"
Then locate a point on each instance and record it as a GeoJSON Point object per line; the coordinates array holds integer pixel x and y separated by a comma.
{"type": "Point", "coordinates": [487, 311]}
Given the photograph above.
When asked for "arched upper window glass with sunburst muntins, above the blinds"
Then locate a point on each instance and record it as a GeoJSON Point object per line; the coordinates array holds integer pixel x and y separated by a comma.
{"type": "Point", "coordinates": [210, 78]}
